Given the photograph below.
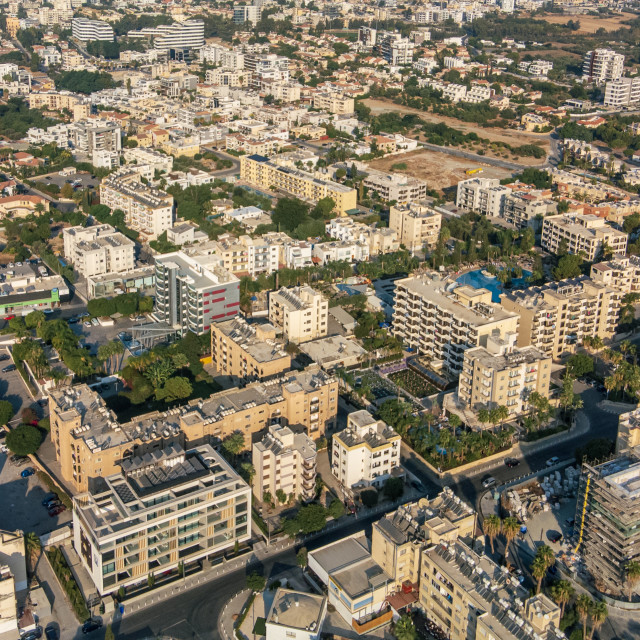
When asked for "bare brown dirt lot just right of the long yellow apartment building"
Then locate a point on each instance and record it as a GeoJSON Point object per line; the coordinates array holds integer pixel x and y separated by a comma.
{"type": "Point", "coordinates": [439, 170]}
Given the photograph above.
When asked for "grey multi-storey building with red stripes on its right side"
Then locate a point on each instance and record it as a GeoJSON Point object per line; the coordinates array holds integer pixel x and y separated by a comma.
{"type": "Point", "coordinates": [191, 294]}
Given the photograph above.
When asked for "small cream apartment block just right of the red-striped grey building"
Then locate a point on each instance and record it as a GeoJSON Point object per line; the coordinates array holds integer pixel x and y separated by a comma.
{"type": "Point", "coordinates": [301, 312]}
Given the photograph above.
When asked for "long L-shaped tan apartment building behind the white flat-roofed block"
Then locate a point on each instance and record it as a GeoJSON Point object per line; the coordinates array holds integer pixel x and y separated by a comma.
{"type": "Point", "coordinates": [90, 442]}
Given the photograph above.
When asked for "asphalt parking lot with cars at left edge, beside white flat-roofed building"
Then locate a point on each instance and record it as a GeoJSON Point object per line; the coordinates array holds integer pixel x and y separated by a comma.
{"type": "Point", "coordinates": [21, 501]}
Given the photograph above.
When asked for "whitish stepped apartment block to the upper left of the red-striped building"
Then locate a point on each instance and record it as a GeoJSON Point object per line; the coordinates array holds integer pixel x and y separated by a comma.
{"type": "Point", "coordinates": [98, 250]}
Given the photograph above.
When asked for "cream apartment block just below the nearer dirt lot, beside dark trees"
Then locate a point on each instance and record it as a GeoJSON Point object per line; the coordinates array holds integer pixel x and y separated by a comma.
{"type": "Point", "coordinates": [416, 225]}
